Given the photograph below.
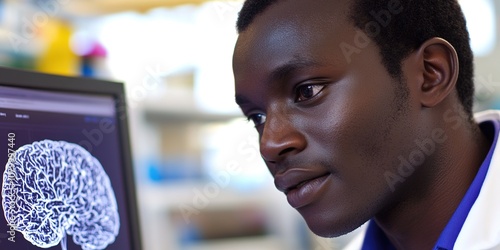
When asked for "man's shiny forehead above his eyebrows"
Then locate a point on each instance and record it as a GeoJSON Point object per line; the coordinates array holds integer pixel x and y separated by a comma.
{"type": "Point", "coordinates": [276, 30]}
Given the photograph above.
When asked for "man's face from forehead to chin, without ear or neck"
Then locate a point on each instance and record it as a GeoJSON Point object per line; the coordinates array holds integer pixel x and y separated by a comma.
{"type": "Point", "coordinates": [330, 128]}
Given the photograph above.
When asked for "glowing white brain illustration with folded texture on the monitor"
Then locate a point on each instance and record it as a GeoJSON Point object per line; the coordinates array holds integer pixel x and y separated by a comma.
{"type": "Point", "coordinates": [54, 188]}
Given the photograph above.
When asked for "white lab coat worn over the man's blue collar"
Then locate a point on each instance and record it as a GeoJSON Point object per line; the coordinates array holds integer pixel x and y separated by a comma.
{"type": "Point", "coordinates": [481, 229]}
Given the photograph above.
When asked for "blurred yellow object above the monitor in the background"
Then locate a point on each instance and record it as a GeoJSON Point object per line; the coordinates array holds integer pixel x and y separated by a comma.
{"type": "Point", "coordinates": [57, 57]}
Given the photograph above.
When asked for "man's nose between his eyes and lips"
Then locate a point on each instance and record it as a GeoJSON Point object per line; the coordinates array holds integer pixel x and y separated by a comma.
{"type": "Point", "coordinates": [280, 138]}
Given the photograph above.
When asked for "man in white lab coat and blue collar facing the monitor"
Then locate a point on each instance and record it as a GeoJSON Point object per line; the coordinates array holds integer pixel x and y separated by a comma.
{"type": "Point", "coordinates": [364, 111]}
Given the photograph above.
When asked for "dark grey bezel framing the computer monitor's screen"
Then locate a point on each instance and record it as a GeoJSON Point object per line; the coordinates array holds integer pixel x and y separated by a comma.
{"type": "Point", "coordinates": [27, 79]}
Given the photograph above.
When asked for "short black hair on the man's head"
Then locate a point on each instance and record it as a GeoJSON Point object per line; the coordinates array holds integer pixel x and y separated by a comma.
{"type": "Point", "coordinates": [405, 32]}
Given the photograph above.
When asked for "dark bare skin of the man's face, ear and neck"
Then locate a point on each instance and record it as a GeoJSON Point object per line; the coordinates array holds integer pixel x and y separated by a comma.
{"type": "Point", "coordinates": [330, 130]}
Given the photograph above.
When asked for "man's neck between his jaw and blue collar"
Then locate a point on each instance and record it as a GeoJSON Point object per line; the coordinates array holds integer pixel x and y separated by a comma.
{"type": "Point", "coordinates": [431, 197]}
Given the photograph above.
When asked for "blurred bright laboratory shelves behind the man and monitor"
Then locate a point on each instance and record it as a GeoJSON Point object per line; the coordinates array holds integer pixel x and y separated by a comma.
{"type": "Point", "coordinates": [200, 181]}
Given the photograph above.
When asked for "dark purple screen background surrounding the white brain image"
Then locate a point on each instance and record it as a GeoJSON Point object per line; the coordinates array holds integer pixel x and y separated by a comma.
{"type": "Point", "coordinates": [85, 130]}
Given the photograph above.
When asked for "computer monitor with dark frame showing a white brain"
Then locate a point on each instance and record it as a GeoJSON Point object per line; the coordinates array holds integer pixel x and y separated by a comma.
{"type": "Point", "coordinates": [67, 179]}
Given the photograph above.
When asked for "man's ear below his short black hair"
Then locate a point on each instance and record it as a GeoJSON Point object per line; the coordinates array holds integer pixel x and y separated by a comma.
{"type": "Point", "coordinates": [438, 67]}
